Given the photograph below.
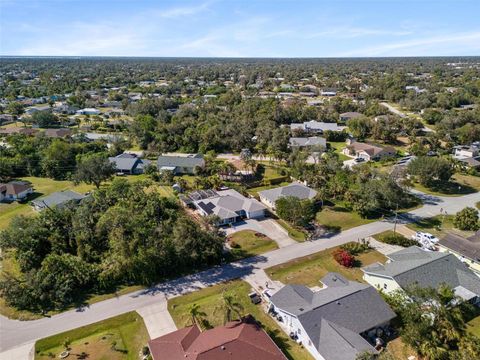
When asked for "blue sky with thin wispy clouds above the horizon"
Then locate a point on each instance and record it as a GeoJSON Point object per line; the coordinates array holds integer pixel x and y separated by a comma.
{"type": "Point", "coordinates": [240, 28]}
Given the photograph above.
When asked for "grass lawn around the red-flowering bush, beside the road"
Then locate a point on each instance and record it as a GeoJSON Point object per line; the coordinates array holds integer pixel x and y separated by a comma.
{"type": "Point", "coordinates": [310, 269]}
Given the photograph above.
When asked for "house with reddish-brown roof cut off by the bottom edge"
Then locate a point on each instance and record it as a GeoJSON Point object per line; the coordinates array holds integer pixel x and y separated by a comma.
{"type": "Point", "coordinates": [236, 340]}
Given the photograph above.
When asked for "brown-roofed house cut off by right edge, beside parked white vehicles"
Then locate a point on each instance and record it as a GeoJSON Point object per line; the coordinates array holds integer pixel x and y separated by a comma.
{"type": "Point", "coordinates": [467, 249]}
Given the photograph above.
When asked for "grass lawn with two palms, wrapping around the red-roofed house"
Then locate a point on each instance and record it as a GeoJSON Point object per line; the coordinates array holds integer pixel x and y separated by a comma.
{"type": "Point", "coordinates": [210, 302]}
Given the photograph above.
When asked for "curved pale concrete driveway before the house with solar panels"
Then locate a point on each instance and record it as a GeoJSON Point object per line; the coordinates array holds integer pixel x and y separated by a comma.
{"type": "Point", "coordinates": [265, 226]}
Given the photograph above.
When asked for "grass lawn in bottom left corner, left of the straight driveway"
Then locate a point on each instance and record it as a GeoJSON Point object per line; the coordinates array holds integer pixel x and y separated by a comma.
{"type": "Point", "coordinates": [127, 331]}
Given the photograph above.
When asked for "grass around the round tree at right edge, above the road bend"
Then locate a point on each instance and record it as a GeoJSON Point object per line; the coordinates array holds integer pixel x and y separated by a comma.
{"type": "Point", "coordinates": [459, 185]}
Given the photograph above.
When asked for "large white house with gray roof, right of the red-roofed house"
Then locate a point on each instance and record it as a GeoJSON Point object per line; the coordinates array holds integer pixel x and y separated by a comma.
{"type": "Point", "coordinates": [337, 322]}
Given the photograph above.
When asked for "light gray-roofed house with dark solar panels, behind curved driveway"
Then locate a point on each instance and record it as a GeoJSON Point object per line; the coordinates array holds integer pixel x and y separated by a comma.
{"type": "Point", "coordinates": [229, 205]}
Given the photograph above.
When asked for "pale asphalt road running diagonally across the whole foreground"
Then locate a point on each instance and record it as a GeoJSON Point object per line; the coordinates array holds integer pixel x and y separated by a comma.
{"type": "Point", "coordinates": [14, 333]}
